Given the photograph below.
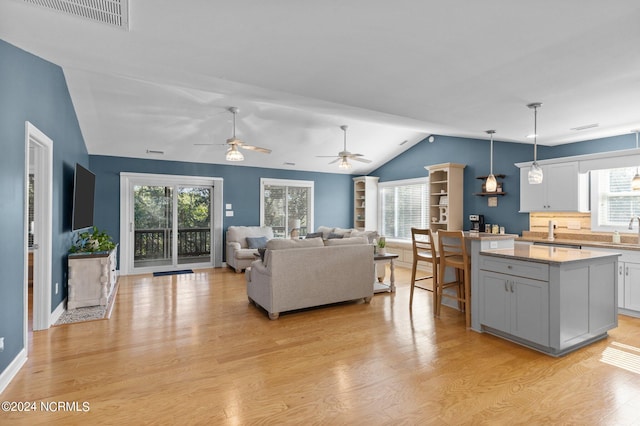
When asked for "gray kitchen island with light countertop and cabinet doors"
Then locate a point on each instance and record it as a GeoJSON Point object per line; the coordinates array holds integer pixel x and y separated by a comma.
{"type": "Point", "coordinates": [551, 299]}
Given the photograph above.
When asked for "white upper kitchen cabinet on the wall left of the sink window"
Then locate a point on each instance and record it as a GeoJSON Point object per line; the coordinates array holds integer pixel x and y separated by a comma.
{"type": "Point", "coordinates": [563, 188]}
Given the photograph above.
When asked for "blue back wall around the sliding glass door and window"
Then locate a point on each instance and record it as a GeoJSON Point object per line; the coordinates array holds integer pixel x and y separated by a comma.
{"type": "Point", "coordinates": [333, 203]}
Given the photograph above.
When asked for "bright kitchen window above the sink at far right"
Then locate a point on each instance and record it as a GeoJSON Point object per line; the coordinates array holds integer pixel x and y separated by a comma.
{"type": "Point", "coordinates": [616, 202]}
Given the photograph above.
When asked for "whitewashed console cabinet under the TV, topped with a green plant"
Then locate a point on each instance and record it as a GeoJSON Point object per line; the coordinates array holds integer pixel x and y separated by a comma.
{"type": "Point", "coordinates": [92, 277]}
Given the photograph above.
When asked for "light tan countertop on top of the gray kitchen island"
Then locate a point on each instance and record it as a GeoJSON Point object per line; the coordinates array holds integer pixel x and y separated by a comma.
{"type": "Point", "coordinates": [547, 254]}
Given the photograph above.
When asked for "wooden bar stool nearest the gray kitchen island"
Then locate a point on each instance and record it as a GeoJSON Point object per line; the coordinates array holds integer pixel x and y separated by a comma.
{"type": "Point", "coordinates": [453, 253]}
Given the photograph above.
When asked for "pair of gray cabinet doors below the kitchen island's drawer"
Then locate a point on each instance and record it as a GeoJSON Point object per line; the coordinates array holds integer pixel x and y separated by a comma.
{"type": "Point", "coordinates": [515, 305]}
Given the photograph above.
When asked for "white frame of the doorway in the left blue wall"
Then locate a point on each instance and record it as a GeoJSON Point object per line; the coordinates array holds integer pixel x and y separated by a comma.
{"type": "Point", "coordinates": [43, 203]}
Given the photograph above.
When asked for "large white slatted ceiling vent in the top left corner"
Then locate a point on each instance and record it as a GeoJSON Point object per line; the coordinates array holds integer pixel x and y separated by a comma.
{"type": "Point", "coordinates": [112, 12]}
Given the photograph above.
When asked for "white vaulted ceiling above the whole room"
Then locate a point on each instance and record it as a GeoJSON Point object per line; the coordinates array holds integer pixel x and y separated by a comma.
{"type": "Point", "coordinates": [393, 71]}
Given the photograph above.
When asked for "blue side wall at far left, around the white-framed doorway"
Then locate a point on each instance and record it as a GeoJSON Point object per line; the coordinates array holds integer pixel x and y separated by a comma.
{"type": "Point", "coordinates": [34, 90]}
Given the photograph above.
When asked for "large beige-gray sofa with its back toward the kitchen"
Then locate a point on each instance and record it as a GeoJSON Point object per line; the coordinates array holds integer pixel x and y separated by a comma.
{"type": "Point", "coordinates": [297, 274]}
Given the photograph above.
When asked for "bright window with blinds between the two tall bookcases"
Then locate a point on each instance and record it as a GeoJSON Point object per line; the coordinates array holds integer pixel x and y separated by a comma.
{"type": "Point", "coordinates": [403, 205]}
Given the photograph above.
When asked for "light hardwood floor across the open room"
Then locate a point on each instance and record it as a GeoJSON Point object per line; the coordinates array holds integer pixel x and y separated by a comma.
{"type": "Point", "coordinates": [190, 349]}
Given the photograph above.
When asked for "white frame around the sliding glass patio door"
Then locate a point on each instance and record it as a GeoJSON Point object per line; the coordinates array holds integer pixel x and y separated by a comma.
{"type": "Point", "coordinates": [126, 213]}
